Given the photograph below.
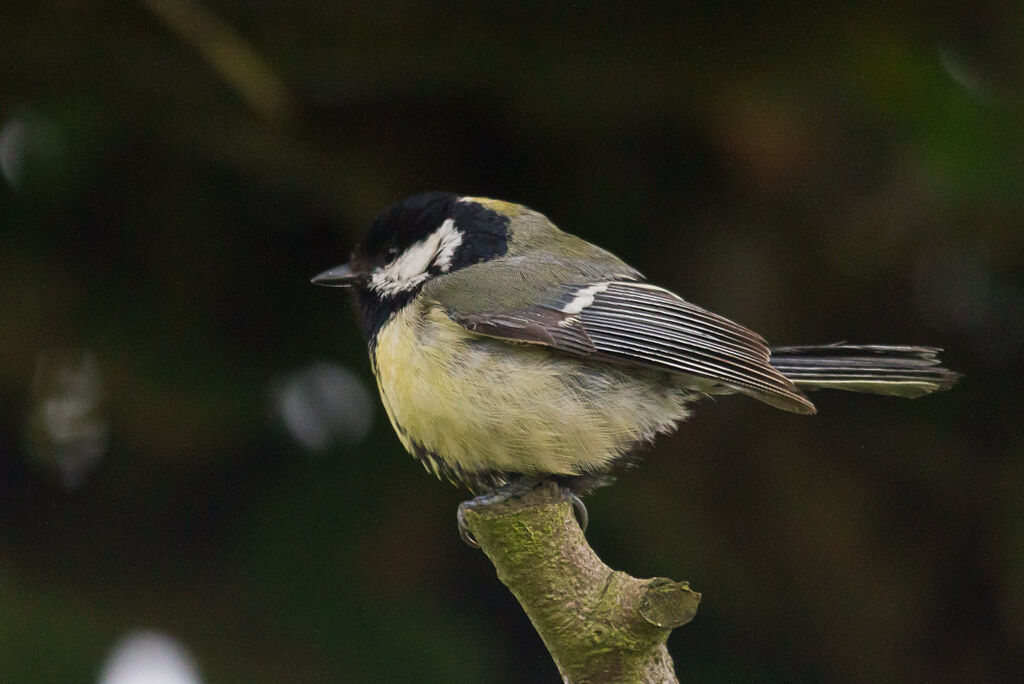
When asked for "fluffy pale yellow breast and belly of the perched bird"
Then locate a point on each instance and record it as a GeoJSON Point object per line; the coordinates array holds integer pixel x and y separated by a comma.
{"type": "Point", "coordinates": [478, 405]}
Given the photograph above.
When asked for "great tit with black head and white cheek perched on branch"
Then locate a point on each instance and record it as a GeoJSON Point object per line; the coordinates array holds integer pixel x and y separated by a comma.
{"type": "Point", "coordinates": [505, 349]}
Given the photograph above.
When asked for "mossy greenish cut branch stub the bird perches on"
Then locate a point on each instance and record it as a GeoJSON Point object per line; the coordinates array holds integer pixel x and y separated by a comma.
{"type": "Point", "coordinates": [601, 625]}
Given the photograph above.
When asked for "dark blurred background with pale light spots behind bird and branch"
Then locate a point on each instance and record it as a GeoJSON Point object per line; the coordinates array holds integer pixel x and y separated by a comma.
{"type": "Point", "coordinates": [195, 469]}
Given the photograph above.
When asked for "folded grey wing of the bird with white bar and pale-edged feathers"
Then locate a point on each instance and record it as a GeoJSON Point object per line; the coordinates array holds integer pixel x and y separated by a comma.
{"type": "Point", "coordinates": [644, 325]}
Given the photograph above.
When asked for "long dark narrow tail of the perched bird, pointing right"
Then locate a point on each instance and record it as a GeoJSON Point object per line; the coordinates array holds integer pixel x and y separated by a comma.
{"type": "Point", "coordinates": [877, 369]}
